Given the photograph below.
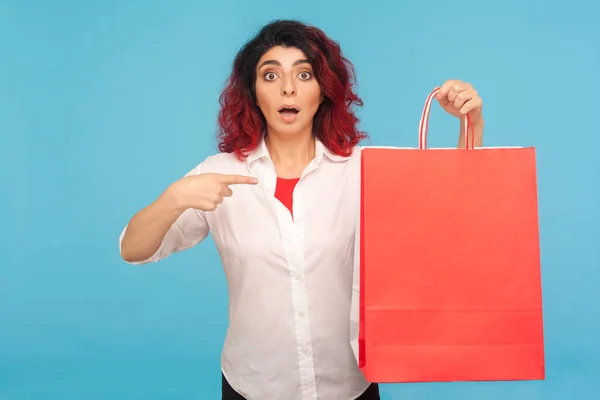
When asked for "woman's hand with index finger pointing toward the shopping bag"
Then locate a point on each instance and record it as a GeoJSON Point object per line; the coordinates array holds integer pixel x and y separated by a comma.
{"type": "Point", "coordinates": [206, 191]}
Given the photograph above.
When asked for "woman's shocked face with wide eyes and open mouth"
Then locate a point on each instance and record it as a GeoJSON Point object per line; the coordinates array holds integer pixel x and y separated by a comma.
{"type": "Point", "coordinates": [287, 91]}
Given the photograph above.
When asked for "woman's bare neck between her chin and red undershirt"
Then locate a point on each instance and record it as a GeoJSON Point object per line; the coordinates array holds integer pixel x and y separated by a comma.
{"type": "Point", "coordinates": [290, 154]}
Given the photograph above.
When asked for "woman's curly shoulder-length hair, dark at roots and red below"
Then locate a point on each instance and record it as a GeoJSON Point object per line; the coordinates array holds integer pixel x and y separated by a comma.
{"type": "Point", "coordinates": [241, 123]}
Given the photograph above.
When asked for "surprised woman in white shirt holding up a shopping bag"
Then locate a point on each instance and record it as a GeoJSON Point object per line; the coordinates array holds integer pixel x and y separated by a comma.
{"type": "Point", "coordinates": [280, 200]}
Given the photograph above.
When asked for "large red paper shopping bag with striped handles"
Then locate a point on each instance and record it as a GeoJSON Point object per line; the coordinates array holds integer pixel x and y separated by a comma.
{"type": "Point", "coordinates": [450, 286]}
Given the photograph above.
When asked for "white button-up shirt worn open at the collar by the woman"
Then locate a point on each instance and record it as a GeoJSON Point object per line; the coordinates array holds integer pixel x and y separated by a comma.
{"type": "Point", "coordinates": [290, 279]}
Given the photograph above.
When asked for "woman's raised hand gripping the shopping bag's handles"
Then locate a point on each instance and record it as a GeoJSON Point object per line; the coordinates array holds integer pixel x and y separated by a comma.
{"type": "Point", "coordinates": [459, 98]}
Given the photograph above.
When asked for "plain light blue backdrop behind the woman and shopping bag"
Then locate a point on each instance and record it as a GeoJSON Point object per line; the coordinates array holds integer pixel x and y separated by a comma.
{"type": "Point", "coordinates": [104, 103]}
